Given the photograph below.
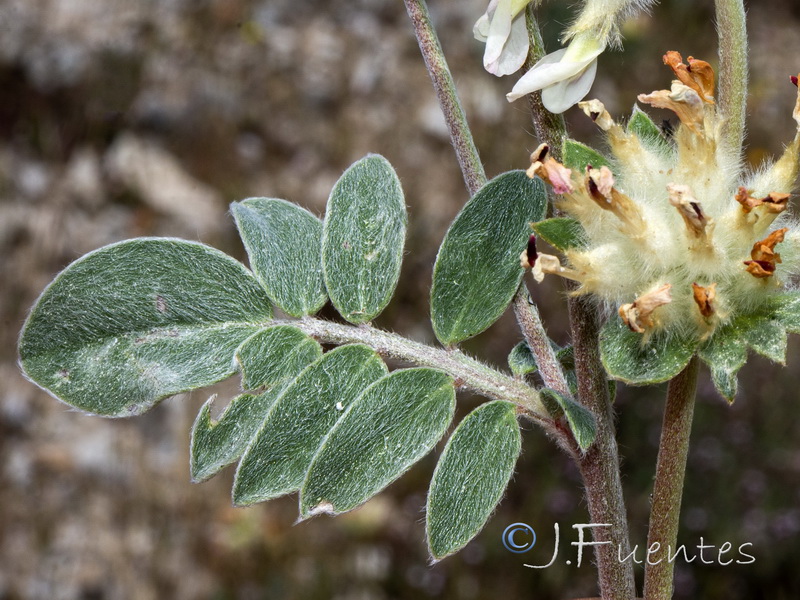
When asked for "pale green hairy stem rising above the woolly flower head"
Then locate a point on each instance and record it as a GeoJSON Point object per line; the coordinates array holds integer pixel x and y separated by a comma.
{"type": "Point", "coordinates": [732, 32]}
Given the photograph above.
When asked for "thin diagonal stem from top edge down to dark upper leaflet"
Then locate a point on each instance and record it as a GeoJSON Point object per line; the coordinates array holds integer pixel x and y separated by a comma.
{"type": "Point", "coordinates": [460, 134]}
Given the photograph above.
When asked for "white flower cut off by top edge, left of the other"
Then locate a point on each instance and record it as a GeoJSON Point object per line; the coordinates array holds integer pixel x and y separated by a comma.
{"type": "Point", "coordinates": [503, 29]}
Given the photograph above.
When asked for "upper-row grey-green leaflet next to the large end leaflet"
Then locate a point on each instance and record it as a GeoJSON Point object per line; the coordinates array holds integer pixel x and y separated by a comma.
{"type": "Point", "coordinates": [283, 242]}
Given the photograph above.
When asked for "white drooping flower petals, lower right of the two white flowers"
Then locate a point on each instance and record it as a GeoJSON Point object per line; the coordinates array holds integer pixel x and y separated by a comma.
{"type": "Point", "coordinates": [565, 76]}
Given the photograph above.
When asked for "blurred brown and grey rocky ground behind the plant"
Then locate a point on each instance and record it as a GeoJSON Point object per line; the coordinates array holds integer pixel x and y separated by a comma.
{"type": "Point", "coordinates": [122, 119]}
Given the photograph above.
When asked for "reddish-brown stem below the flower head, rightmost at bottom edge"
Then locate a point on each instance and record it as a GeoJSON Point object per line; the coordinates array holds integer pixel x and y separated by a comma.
{"type": "Point", "coordinates": [668, 487]}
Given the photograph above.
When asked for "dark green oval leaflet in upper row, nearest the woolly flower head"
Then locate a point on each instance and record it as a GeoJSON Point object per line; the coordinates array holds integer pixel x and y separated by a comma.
{"type": "Point", "coordinates": [477, 269]}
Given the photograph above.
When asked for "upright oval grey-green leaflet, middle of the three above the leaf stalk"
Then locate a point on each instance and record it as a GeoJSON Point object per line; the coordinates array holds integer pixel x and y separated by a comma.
{"type": "Point", "coordinates": [363, 238]}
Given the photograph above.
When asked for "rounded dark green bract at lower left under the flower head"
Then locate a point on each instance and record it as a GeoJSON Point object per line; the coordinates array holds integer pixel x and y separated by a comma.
{"type": "Point", "coordinates": [631, 358]}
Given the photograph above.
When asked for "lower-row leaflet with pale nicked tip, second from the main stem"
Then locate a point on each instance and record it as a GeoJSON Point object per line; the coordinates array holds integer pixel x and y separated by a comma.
{"type": "Point", "coordinates": [392, 425]}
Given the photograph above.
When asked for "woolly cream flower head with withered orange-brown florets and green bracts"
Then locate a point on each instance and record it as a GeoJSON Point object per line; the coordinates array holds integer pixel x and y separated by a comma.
{"type": "Point", "coordinates": [690, 251]}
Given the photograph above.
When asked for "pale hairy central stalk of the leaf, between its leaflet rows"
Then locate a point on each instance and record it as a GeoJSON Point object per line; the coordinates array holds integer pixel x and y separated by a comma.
{"type": "Point", "coordinates": [470, 374]}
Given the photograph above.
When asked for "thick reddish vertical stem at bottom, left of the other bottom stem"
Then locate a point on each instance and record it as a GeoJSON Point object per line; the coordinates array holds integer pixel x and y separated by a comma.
{"type": "Point", "coordinates": [599, 467]}
